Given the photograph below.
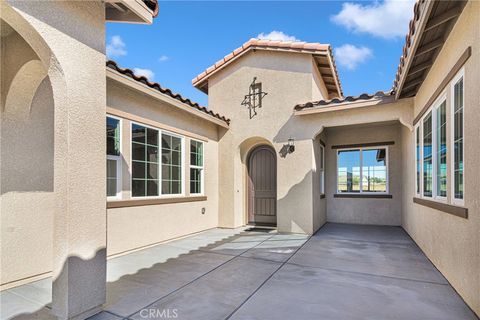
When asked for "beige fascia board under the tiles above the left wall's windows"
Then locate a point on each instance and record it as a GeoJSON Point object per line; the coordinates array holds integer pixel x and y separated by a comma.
{"type": "Point", "coordinates": [132, 83]}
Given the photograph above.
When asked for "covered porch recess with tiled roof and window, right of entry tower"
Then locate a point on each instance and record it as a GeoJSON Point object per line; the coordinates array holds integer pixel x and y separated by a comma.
{"type": "Point", "coordinates": [360, 148]}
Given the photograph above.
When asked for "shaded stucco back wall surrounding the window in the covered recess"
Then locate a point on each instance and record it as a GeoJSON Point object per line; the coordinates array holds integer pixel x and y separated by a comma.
{"type": "Point", "coordinates": [364, 210]}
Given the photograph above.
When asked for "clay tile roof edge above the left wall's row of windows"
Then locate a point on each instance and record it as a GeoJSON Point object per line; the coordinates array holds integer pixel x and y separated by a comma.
{"type": "Point", "coordinates": [113, 65]}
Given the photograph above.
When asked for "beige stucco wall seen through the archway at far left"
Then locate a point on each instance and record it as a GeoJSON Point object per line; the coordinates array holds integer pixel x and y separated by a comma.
{"type": "Point", "coordinates": [27, 198]}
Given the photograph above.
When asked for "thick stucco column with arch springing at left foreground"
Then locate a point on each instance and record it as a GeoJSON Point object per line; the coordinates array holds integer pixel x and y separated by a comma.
{"type": "Point", "coordinates": [72, 47]}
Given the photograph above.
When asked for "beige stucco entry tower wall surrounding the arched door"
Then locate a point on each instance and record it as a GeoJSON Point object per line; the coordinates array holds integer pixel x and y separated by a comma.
{"type": "Point", "coordinates": [288, 79]}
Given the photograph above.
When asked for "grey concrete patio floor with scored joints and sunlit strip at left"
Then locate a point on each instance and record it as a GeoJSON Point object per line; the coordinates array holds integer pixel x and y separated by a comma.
{"type": "Point", "coordinates": [342, 272]}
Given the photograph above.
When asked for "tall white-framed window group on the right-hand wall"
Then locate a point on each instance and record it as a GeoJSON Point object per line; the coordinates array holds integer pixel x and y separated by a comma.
{"type": "Point", "coordinates": [432, 145]}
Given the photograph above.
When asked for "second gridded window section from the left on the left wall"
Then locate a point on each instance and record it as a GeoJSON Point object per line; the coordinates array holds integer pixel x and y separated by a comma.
{"type": "Point", "coordinates": [145, 172]}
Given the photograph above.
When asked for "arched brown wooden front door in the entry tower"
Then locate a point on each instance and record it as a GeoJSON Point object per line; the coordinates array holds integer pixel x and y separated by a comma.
{"type": "Point", "coordinates": [262, 186]}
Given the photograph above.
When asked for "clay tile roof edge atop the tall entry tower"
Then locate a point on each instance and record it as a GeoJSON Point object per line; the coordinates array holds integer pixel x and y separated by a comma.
{"type": "Point", "coordinates": [292, 46]}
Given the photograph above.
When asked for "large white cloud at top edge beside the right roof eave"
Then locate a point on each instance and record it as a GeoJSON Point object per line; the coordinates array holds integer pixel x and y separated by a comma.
{"type": "Point", "coordinates": [387, 19]}
